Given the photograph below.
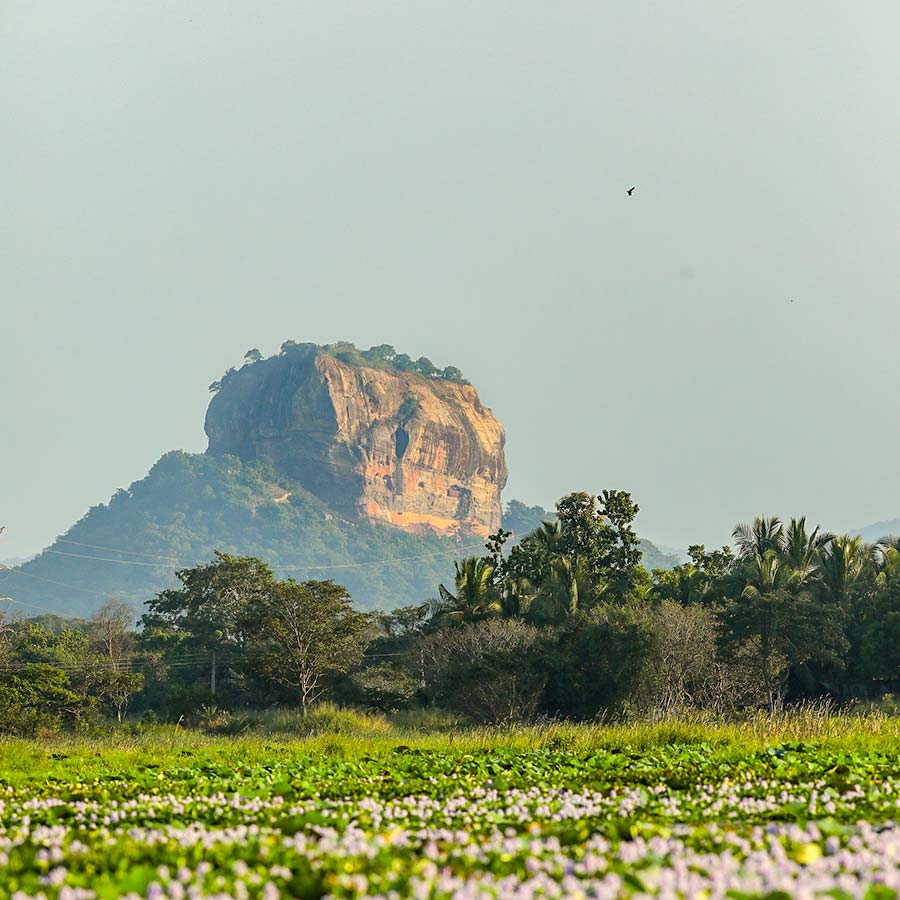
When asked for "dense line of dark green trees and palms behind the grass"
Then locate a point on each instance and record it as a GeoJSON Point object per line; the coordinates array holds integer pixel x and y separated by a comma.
{"type": "Point", "coordinates": [565, 623]}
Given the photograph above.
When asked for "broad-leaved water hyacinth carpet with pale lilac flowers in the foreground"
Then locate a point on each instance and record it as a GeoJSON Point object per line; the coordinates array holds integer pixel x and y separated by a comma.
{"type": "Point", "coordinates": [266, 832]}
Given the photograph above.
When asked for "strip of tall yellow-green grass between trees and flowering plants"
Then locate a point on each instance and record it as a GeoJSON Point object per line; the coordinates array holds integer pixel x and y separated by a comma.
{"type": "Point", "coordinates": [281, 735]}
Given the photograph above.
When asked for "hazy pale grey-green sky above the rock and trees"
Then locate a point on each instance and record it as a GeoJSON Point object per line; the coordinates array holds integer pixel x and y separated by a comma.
{"type": "Point", "coordinates": [185, 180]}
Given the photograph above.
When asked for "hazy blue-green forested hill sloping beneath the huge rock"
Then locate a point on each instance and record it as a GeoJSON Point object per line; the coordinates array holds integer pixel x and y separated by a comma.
{"type": "Point", "coordinates": [192, 504]}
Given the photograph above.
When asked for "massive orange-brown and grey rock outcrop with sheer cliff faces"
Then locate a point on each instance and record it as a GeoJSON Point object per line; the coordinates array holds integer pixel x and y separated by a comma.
{"type": "Point", "coordinates": [373, 443]}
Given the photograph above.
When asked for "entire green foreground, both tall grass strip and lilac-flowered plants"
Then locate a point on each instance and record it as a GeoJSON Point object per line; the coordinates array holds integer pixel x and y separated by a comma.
{"type": "Point", "coordinates": [805, 804]}
